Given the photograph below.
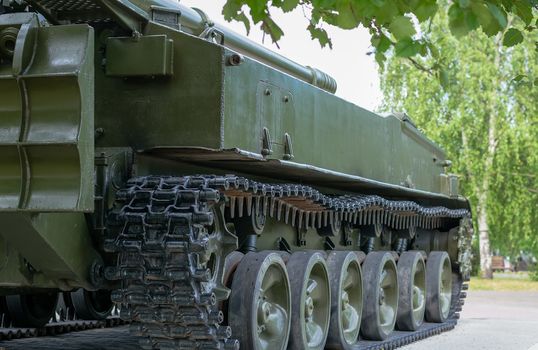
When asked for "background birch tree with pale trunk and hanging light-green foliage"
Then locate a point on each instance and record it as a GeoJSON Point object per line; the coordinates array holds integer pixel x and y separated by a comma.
{"type": "Point", "coordinates": [487, 120]}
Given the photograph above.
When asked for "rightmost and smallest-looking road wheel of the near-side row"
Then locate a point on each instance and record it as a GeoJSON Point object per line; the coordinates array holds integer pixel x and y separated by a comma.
{"type": "Point", "coordinates": [438, 287]}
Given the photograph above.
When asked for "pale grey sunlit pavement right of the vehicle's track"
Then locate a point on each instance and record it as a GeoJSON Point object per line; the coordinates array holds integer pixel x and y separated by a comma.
{"type": "Point", "coordinates": [492, 321]}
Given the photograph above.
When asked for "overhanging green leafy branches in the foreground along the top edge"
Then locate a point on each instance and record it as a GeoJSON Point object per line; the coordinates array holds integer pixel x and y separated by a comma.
{"type": "Point", "coordinates": [391, 23]}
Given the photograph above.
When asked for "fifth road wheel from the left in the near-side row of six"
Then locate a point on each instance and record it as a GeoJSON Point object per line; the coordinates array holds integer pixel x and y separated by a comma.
{"type": "Point", "coordinates": [412, 286]}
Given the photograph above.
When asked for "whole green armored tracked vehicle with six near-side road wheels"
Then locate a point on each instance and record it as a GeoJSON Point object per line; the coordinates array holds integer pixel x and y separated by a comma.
{"type": "Point", "coordinates": [218, 193]}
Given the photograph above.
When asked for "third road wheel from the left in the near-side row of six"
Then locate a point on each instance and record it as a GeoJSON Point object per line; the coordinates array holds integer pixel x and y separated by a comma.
{"type": "Point", "coordinates": [346, 304]}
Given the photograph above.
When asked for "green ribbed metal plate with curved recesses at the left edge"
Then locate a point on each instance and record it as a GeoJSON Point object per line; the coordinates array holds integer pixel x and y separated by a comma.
{"type": "Point", "coordinates": [46, 117]}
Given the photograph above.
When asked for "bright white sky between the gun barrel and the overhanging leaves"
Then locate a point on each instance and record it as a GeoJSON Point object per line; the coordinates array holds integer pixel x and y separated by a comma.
{"type": "Point", "coordinates": [348, 62]}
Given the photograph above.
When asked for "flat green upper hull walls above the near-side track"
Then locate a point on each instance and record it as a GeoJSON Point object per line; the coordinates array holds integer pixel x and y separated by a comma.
{"type": "Point", "coordinates": [229, 107]}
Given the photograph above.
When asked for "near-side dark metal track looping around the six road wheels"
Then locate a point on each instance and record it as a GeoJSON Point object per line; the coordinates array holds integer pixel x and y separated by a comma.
{"type": "Point", "coordinates": [161, 229]}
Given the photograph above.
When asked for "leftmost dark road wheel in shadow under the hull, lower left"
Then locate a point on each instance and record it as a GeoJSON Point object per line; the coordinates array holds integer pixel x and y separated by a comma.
{"type": "Point", "coordinates": [32, 310]}
